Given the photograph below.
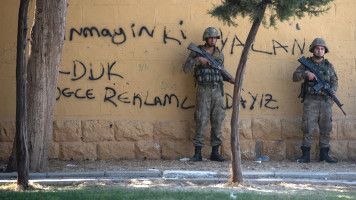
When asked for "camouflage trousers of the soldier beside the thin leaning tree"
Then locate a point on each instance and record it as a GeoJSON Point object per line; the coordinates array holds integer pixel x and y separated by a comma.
{"type": "Point", "coordinates": [209, 106]}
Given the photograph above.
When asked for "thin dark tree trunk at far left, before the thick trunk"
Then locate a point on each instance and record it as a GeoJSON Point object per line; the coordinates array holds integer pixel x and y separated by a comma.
{"type": "Point", "coordinates": [21, 137]}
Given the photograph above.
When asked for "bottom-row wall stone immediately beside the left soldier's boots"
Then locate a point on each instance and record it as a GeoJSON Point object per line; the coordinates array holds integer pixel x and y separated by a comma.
{"type": "Point", "coordinates": [177, 149]}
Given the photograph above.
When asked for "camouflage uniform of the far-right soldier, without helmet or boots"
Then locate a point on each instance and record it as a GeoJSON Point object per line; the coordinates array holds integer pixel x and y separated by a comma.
{"type": "Point", "coordinates": [317, 105]}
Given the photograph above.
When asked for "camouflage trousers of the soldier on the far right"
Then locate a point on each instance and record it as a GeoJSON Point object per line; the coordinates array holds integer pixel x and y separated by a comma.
{"type": "Point", "coordinates": [317, 110]}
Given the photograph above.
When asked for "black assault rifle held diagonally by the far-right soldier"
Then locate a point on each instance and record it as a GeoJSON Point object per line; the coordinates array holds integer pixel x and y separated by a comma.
{"type": "Point", "coordinates": [321, 83]}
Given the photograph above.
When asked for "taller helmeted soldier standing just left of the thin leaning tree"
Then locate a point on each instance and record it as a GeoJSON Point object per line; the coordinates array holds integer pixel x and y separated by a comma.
{"type": "Point", "coordinates": [209, 95]}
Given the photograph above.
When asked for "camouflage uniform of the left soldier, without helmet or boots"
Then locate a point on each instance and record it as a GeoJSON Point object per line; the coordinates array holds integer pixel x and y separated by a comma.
{"type": "Point", "coordinates": [209, 97]}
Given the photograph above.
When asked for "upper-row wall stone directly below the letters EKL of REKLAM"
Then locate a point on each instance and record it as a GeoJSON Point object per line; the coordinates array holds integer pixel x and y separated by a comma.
{"type": "Point", "coordinates": [130, 130]}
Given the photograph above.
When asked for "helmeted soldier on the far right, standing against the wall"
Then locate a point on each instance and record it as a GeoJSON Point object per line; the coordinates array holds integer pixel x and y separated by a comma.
{"type": "Point", "coordinates": [317, 104]}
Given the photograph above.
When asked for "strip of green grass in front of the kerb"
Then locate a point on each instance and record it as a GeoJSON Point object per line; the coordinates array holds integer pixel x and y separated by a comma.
{"type": "Point", "coordinates": [108, 192]}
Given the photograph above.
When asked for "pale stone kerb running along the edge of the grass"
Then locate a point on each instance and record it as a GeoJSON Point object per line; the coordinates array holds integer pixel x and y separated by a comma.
{"type": "Point", "coordinates": [68, 178]}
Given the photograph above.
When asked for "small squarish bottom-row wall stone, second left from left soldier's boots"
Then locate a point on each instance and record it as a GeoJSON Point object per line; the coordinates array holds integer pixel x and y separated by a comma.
{"type": "Point", "coordinates": [150, 150]}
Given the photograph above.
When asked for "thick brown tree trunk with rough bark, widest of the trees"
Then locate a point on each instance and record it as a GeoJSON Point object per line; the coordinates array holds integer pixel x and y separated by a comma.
{"type": "Point", "coordinates": [43, 68]}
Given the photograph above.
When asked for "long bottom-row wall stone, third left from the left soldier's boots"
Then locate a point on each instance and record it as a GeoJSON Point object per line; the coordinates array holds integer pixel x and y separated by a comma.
{"type": "Point", "coordinates": [116, 150]}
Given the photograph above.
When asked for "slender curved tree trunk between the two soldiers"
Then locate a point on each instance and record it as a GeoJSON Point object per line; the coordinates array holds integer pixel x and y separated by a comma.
{"type": "Point", "coordinates": [235, 143]}
